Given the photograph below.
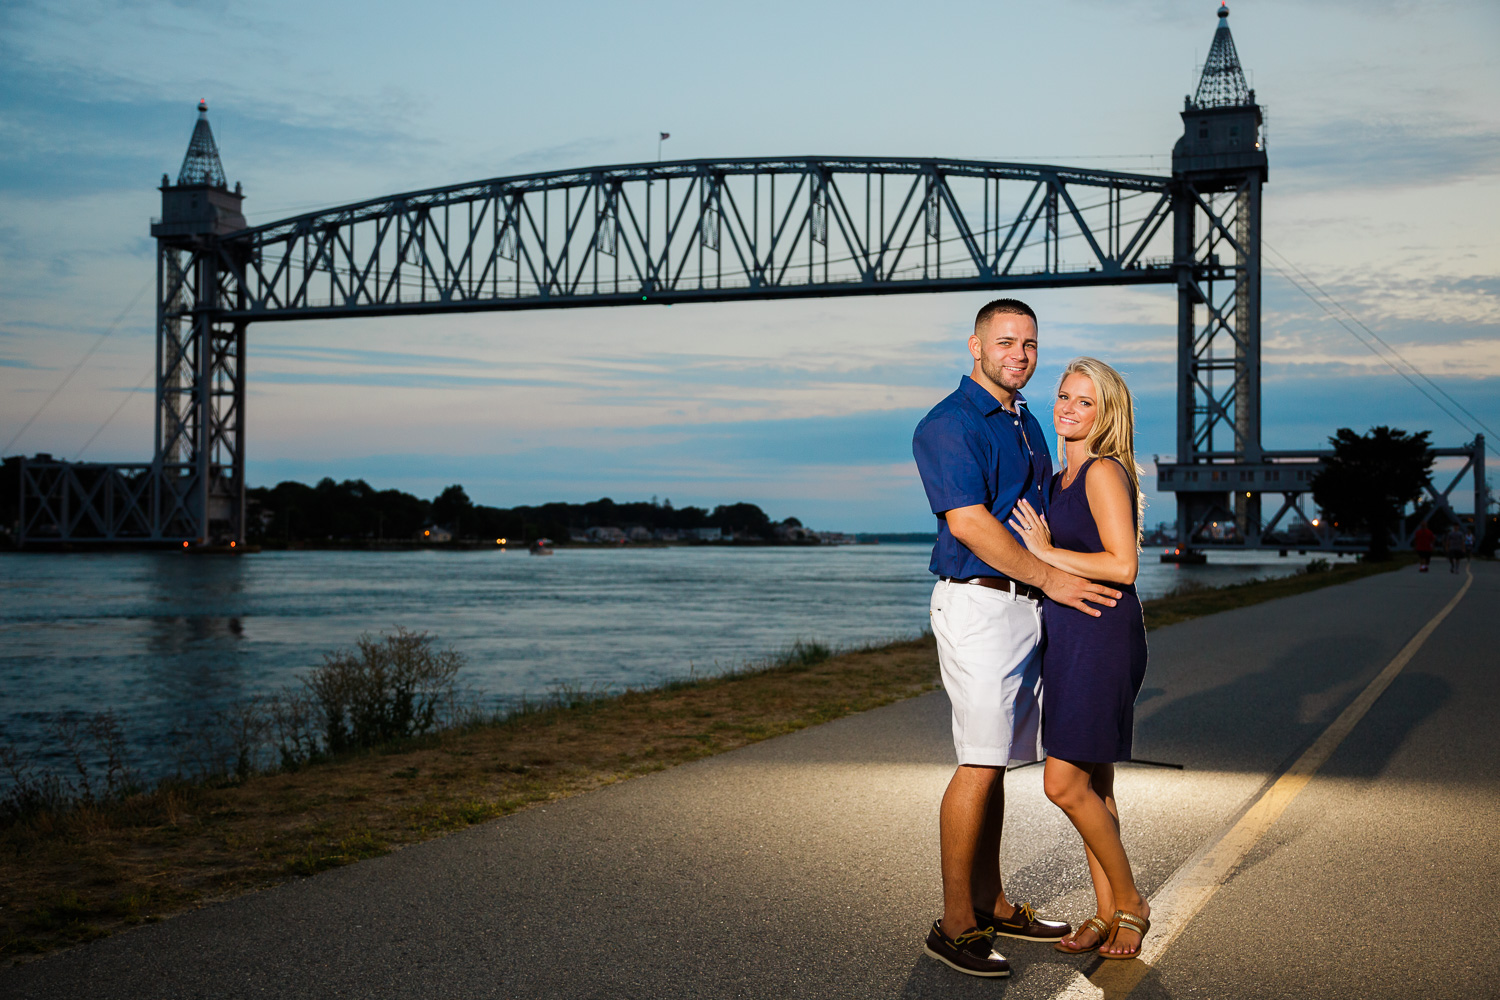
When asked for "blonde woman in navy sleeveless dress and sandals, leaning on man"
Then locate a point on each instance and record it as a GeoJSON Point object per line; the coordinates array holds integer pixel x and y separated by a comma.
{"type": "Point", "coordinates": [1093, 668]}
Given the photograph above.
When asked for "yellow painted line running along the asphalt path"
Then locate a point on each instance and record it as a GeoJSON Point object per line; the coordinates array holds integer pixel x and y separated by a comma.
{"type": "Point", "coordinates": [1195, 884]}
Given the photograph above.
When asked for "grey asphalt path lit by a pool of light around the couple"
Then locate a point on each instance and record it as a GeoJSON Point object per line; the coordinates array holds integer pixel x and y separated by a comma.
{"type": "Point", "coordinates": [808, 866]}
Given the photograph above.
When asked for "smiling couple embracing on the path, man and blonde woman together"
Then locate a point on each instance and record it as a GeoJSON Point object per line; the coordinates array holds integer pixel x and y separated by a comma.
{"type": "Point", "coordinates": [1040, 633]}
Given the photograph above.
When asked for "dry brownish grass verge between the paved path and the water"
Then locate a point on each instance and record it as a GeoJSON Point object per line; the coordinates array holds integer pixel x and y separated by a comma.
{"type": "Point", "coordinates": [77, 875]}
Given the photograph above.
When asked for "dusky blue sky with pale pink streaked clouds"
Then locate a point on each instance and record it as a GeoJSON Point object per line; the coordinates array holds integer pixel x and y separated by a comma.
{"type": "Point", "coordinates": [1384, 137]}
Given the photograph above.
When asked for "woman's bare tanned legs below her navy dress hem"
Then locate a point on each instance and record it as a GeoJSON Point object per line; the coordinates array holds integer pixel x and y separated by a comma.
{"type": "Point", "coordinates": [1085, 792]}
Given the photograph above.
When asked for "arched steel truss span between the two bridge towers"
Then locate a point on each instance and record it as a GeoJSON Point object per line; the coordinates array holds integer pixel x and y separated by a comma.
{"type": "Point", "coordinates": [707, 230]}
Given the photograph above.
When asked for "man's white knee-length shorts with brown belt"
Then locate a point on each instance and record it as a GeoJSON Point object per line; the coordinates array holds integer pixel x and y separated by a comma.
{"type": "Point", "coordinates": [989, 650]}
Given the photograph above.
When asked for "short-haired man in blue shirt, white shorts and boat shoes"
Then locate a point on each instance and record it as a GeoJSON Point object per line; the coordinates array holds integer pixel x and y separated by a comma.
{"type": "Point", "coordinates": [980, 452]}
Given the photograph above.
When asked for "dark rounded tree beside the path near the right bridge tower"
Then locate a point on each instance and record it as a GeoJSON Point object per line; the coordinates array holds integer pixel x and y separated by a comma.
{"type": "Point", "coordinates": [1370, 479]}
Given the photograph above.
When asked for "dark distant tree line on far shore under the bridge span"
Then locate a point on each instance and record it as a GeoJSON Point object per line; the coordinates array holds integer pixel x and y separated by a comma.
{"type": "Point", "coordinates": [353, 510]}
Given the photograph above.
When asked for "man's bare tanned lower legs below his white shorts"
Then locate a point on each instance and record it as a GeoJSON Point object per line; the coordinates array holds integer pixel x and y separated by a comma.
{"type": "Point", "coordinates": [970, 828]}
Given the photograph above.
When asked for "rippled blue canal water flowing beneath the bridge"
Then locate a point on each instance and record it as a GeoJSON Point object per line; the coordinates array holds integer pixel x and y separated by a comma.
{"type": "Point", "coordinates": [166, 639]}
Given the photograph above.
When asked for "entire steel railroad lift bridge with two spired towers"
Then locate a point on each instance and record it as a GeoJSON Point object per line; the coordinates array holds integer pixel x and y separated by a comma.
{"type": "Point", "coordinates": [716, 230]}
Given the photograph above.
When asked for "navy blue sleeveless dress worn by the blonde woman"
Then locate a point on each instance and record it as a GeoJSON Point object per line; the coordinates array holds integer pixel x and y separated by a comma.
{"type": "Point", "coordinates": [1093, 668]}
